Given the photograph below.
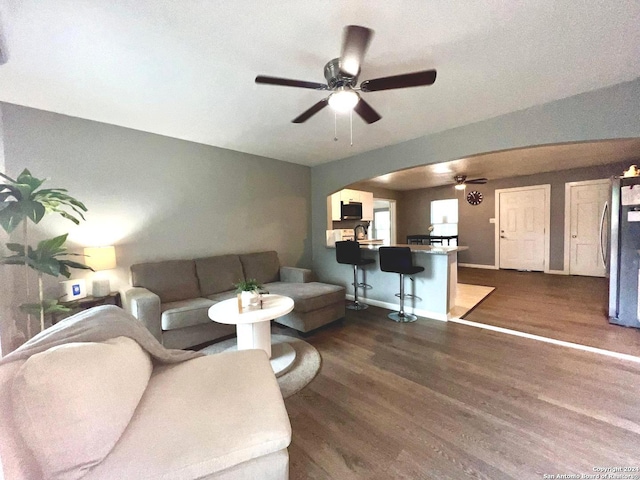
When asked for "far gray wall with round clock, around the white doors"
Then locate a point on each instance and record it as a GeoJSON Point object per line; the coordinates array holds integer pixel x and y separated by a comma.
{"type": "Point", "coordinates": [474, 228]}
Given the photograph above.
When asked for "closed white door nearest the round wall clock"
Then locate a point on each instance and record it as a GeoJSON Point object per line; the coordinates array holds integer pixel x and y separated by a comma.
{"type": "Point", "coordinates": [522, 228]}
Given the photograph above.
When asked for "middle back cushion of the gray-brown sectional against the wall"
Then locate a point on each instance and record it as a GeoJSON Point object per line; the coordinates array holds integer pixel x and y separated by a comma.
{"type": "Point", "coordinates": [218, 274]}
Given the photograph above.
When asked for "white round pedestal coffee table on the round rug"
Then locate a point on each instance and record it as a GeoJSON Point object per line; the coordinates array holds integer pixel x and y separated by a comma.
{"type": "Point", "coordinates": [253, 327]}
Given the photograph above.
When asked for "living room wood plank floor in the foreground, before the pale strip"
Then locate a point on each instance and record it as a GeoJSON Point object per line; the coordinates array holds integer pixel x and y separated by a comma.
{"type": "Point", "coordinates": [435, 400]}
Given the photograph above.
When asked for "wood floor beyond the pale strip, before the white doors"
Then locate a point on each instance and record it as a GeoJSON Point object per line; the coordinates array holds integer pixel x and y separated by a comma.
{"type": "Point", "coordinates": [569, 308]}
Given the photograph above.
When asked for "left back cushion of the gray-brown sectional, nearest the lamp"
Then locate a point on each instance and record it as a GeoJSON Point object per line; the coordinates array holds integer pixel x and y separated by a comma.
{"type": "Point", "coordinates": [171, 280]}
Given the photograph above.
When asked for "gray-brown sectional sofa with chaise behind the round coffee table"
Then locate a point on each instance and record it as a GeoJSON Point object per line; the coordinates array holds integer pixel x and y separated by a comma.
{"type": "Point", "coordinates": [171, 298]}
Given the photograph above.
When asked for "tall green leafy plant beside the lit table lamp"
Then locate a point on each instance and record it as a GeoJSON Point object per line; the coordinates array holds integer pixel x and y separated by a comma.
{"type": "Point", "coordinates": [22, 200]}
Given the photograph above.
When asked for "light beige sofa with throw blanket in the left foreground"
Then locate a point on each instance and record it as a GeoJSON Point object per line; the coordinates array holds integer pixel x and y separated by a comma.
{"type": "Point", "coordinates": [96, 397]}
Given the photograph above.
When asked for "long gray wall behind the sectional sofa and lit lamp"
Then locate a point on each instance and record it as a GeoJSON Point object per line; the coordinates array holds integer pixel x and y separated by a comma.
{"type": "Point", "coordinates": [155, 197]}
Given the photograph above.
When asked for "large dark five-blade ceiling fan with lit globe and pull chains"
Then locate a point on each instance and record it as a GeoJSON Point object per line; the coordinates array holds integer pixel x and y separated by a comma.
{"type": "Point", "coordinates": [342, 78]}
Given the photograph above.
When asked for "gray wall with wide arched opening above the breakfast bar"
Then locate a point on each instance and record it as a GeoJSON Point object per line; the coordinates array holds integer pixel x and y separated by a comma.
{"type": "Point", "coordinates": [601, 114]}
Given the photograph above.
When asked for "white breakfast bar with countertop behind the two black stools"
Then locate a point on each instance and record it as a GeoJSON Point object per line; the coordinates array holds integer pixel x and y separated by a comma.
{"type": "Point", "coordinates": [435, 288]}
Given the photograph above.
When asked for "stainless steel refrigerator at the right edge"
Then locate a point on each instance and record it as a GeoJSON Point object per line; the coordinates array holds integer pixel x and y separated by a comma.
{"type": "Point", "coordinates": [624, 258]}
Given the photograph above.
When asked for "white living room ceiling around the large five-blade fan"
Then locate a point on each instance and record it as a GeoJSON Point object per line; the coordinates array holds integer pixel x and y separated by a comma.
{"type": "Point", "coordinates": [186, 68]}
